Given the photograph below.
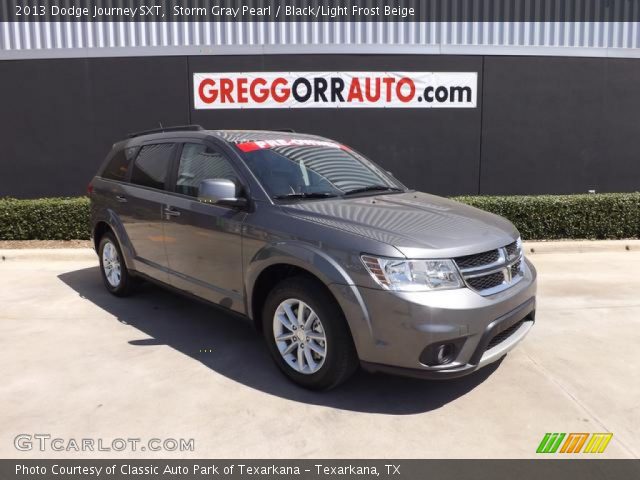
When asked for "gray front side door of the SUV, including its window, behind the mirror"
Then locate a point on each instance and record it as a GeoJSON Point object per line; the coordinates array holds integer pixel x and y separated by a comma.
{"type": "Point", "coordinates": [203, 241]}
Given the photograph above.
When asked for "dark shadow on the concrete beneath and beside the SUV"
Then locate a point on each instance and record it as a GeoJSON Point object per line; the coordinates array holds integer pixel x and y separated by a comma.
{"type": "Point", "coordinates": [230, 346]}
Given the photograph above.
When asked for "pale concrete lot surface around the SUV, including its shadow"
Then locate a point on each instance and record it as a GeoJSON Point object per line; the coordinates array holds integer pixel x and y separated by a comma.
{"type": "Point", "coordinates": [77, 363]}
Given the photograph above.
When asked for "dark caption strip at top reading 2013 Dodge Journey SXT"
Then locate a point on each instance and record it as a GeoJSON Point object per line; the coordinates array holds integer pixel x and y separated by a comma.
{"type": "Point", "coordinates": [320, 10]}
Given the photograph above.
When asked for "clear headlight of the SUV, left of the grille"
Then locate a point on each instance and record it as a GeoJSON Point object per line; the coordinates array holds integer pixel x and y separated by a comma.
{"type": "Point", "coordinates": [413, 275]}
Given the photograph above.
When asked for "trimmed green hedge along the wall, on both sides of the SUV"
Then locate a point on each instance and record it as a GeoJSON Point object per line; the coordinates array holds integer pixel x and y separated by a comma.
{"type": "Point", "coordinates": [544, 217]}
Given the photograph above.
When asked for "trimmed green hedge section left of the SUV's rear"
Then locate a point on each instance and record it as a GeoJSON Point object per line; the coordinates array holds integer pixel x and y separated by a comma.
{"type": "Point", "coordinates": [44, 219]}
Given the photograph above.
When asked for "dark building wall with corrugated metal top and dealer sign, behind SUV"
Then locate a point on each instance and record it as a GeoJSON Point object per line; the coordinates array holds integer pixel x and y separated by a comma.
{"type": "Point", "coordinates": [452, 104]}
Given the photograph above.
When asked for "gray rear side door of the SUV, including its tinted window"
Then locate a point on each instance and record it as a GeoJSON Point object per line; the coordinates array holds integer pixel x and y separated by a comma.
{"type": "Point", "coordinates": [142, 202]}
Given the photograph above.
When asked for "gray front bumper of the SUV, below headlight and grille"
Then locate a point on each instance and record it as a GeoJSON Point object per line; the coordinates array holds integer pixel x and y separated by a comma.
{"type": "Point", "coordinates": [400, 327]}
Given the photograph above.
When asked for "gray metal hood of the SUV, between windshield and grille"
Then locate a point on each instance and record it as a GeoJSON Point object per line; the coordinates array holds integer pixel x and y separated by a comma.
{"type": "Point", "coordinates": [419, 225]}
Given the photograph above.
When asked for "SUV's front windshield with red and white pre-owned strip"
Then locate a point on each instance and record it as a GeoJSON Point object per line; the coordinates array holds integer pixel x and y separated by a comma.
{"type": "Point", "coordinates": [305, 169]}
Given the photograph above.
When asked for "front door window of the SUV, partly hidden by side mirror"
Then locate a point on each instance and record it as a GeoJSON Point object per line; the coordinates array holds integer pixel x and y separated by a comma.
{"type": "Point", "coordinates": [199, 162]}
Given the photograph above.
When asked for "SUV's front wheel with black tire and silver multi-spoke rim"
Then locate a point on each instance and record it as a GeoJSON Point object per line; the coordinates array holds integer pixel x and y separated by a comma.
{"type": "Point", "coordinates": [314, 347]}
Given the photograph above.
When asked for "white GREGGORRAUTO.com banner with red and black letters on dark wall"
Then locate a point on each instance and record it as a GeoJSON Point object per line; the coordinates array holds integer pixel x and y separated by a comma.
{"type": "Point", "coordinates": [335, 90]}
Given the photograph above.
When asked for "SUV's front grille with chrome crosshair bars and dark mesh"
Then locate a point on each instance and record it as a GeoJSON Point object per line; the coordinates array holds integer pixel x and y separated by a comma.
{"type": "Point", "coordinates": [483, 278]}
